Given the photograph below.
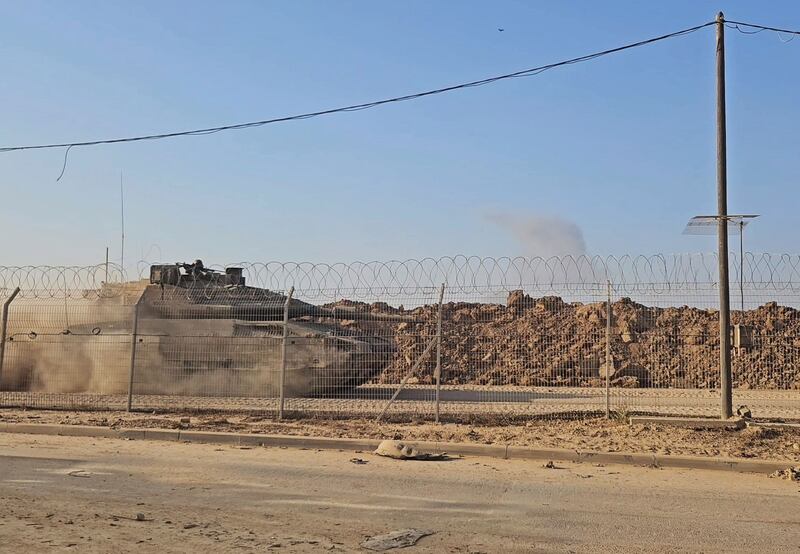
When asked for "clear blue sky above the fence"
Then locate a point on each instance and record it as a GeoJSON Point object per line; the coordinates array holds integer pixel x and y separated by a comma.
{"type": "Point", "coordinates": [620, 150]}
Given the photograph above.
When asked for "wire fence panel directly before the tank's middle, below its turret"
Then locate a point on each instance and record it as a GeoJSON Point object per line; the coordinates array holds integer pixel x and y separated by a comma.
{"type": "Point", "coordinates": [210, 347]}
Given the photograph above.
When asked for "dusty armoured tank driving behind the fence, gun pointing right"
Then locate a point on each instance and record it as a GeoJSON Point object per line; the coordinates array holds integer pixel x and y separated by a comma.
{"type": "Point", "coordinates": [206, 333]}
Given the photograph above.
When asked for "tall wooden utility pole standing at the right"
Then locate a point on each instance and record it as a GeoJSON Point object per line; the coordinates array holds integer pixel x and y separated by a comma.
{"type": "Point", "coordinates": [722, 230]}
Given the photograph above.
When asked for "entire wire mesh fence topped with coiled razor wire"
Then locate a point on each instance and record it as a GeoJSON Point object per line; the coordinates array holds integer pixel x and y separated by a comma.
{"type": "Point", "coordinates": [453, 338]}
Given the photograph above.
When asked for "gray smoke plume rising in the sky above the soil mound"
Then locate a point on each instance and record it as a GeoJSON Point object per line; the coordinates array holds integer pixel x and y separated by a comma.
{"type": "Point", "coordinates": [542, 235]}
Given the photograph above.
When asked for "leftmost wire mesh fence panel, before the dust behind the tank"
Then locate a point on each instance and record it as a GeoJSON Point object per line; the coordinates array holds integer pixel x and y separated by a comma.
{"type": "Point", "coordinates": [67, 352]}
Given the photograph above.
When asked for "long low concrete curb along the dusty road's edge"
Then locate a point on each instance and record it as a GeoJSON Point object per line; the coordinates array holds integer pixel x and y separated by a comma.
{"type": "Point", "coordinates": [506, 452]}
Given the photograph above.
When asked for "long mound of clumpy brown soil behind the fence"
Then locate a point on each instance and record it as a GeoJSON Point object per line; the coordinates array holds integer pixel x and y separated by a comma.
{"type": "Point", "coordinates": [548, 342]}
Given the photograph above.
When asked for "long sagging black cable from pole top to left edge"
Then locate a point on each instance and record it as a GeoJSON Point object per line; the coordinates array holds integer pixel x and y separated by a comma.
{"type": "Point", "coordinates": [367, 105]}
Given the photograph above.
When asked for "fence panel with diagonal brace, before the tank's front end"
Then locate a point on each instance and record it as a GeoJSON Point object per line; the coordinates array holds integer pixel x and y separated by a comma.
{"type": "Point", "coordinates": [375, 347]}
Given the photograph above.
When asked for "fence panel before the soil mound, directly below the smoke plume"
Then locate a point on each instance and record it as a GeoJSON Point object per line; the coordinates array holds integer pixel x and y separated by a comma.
{"type": "Point", "coordinates": [523, 352]}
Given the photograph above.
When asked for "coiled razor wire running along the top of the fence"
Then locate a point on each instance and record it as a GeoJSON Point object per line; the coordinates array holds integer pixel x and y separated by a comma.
{"type": "Point", "coordinates": [648, 274]}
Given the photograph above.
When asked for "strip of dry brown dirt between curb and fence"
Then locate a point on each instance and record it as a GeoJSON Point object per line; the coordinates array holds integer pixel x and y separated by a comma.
{"type": "Point", "coordinates": [596, 434]}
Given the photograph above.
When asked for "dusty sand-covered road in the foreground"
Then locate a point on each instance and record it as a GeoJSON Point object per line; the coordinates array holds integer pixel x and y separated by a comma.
{"type": "Point", "coordinates": [82, 495]}
